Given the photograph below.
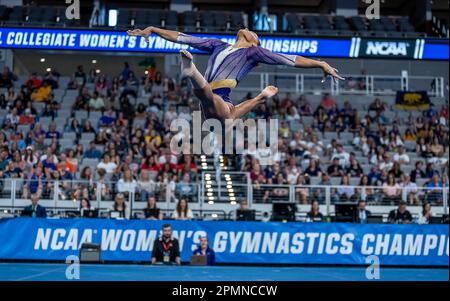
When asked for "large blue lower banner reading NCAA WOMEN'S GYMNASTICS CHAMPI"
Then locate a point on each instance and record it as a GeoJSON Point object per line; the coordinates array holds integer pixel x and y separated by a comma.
{"type": "Point", "coordinates": [233, 242]}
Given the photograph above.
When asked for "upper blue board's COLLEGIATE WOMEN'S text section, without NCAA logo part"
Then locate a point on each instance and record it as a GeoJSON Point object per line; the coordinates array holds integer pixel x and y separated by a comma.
{"type": "Point", "coordinates": [120, 41]}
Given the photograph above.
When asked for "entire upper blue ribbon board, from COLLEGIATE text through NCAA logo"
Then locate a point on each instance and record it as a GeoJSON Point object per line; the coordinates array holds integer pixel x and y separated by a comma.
{"type": "Point", "coordinates": [106, 40]}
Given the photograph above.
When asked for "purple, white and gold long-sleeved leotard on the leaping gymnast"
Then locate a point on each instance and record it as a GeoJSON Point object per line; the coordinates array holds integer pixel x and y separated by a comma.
{"type": "Point", "coordinates": [227, 65]}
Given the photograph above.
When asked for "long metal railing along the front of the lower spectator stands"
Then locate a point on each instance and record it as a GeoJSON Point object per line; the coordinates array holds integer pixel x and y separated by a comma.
{"type": "Point", "coordinates": [60, 196]}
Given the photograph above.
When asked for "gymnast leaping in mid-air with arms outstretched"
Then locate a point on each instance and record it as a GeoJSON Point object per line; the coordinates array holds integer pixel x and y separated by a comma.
{"type": "Point", "coordinates": [227, 66]}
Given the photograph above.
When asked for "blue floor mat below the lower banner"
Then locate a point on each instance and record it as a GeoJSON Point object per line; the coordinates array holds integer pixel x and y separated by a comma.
{"type": "Point", "coordinates": [116, 272]}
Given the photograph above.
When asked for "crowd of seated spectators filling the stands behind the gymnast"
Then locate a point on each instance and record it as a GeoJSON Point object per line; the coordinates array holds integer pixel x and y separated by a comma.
{"type": "Point", "coordinates": [127, 148]}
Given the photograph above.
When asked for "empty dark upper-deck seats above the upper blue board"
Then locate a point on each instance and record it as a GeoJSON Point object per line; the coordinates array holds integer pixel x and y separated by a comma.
{"type": "Point", "coordinates": [218, 21]}
